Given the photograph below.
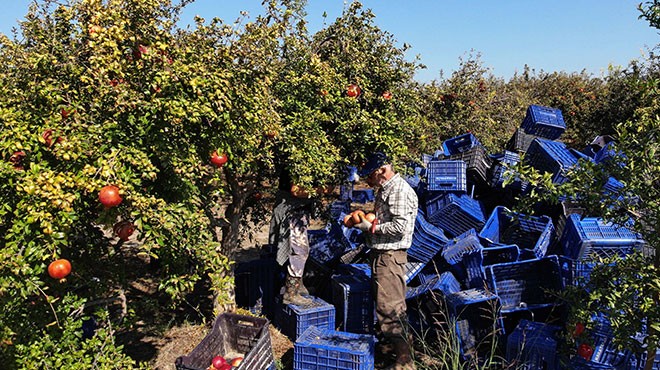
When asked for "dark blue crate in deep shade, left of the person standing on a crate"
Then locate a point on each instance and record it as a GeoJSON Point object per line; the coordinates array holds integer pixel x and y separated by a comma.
{"type": "Point", "coordinates": [256, 285]}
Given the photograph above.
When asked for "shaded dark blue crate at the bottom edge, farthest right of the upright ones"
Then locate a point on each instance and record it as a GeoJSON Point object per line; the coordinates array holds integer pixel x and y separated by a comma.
{"type": "Point", "coordinates": [533, 345]}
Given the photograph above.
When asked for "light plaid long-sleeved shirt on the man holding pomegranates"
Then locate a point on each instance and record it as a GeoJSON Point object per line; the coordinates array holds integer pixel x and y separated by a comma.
{"type": "Point", "coordinates": [396, 209]}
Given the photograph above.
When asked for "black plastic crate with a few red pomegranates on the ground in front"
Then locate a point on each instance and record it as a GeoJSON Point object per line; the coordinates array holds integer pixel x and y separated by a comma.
{"type": "Point", "coordinates": [236, 334]}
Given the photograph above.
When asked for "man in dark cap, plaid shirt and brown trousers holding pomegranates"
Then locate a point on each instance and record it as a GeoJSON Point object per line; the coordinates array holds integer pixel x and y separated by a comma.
{"type": "Point", "coordinates": [390, 236]}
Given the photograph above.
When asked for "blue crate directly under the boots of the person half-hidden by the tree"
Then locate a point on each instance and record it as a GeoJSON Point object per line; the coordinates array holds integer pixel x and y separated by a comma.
{"type": "Point", "coordinates": [293, 320]}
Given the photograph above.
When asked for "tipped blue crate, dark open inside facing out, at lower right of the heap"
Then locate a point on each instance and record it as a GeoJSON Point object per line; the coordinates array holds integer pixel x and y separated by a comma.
{"type": "Point", "coordinates": [526, 285]}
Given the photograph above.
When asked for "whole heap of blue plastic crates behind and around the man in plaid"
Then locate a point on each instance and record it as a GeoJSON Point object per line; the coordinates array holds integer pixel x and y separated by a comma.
{"type": "Point", "coordinates": [489, 272]}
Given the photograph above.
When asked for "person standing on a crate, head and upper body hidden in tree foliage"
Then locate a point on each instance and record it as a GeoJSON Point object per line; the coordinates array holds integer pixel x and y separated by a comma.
{"type": "Point", "coordinates": [288, 231]}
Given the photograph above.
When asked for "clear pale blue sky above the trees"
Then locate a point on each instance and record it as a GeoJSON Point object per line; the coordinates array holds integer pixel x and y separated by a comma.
{"type": "Point", "coordinates": [559, 35]}
